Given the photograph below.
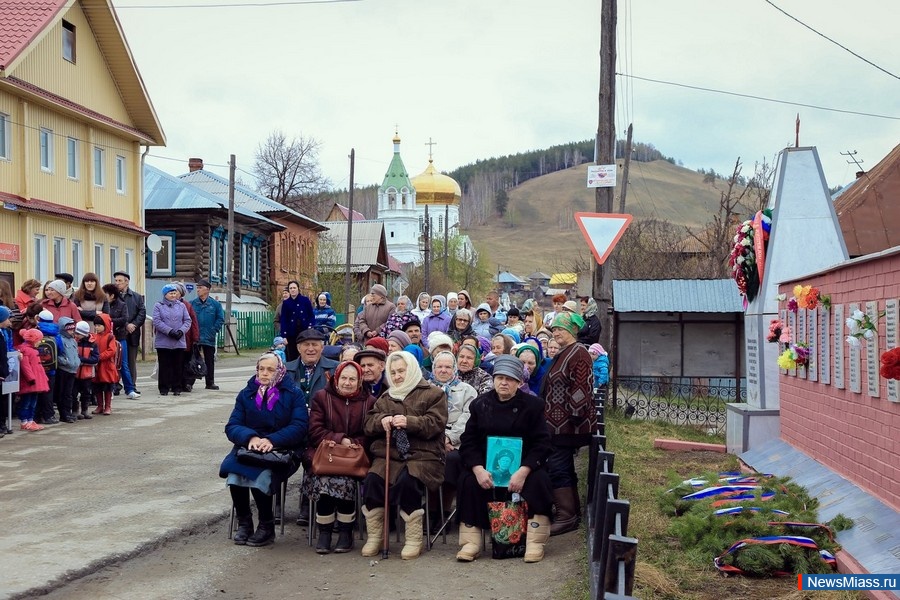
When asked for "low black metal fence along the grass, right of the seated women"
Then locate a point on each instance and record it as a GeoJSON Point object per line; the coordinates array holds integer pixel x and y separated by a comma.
{"type": "Point", "coordinates": [612, 555]}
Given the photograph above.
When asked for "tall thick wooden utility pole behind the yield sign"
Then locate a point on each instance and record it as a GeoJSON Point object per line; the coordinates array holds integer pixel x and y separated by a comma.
{"type": "Point", "coordinates": [606, 145]}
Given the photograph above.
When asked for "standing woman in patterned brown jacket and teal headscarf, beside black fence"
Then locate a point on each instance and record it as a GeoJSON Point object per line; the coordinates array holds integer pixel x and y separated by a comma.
{"type": "Point", "coordinates": [568, 397]}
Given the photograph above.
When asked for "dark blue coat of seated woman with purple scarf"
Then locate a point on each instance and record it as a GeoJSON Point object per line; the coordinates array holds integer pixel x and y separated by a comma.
{"type": "Point", "coordinates": [285, 426]}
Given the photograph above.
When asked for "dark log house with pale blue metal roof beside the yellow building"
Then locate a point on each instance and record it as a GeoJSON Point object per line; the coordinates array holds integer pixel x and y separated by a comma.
{"type": "Point", "coordinates": [193, 227]}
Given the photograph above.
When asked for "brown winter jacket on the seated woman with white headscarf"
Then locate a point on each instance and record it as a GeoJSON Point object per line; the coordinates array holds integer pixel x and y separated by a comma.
{"type": "Point", "coordinates": [425, 408]}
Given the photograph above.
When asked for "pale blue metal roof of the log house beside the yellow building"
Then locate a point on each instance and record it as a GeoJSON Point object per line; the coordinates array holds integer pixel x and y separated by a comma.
{"type": "Point", "coordinates": [167, 192]}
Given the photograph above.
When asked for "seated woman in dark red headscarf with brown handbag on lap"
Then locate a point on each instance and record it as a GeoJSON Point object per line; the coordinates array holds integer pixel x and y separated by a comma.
{"type": "Point", "coordinates": [336, 413]}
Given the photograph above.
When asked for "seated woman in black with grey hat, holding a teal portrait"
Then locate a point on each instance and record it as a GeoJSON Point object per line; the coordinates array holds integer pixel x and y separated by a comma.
{"type": "Point", "coordinates": [505, 411]}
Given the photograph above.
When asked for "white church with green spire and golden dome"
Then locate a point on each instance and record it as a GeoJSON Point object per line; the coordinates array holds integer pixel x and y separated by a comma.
{"type": "Point", "coordinates": [402, 203]}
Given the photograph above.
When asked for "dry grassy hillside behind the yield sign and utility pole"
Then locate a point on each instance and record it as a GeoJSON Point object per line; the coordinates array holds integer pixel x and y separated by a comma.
{"type": "Point", "coordinates": [539, 234]}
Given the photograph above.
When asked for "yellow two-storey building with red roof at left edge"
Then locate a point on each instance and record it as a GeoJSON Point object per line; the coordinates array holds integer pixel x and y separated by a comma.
{"type": "Point", "coordinates": [74, 115]}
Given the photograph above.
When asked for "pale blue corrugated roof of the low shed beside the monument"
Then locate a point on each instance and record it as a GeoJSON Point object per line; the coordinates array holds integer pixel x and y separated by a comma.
{"type": "Point", "coordinates": [677, 295]}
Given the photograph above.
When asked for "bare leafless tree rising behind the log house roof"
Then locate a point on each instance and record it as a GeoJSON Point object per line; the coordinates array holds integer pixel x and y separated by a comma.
{"type": "Point", "coordinates": [287, 169]}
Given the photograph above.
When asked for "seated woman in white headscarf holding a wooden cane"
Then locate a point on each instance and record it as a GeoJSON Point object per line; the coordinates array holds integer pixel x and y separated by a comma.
{"type": "Point", "coordinates": [415, 412]}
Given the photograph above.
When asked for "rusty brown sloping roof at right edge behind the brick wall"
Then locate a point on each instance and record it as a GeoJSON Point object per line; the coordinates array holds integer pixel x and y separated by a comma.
{"type": "Point", "coordinates": [868, 210]}
